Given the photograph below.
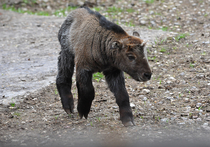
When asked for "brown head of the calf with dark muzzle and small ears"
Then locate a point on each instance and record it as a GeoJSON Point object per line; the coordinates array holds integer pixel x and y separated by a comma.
{"type": "Point", "coordinates": [130, 55]}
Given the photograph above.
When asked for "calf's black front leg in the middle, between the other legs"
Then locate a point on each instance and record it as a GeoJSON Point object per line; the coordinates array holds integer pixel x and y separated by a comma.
{"type": "Point", "coordinates": [86, 92]}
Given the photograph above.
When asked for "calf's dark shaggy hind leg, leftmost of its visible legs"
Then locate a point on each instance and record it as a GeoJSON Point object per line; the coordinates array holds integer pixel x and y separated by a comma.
{"type": "Point", "coordinates": [64, 80]}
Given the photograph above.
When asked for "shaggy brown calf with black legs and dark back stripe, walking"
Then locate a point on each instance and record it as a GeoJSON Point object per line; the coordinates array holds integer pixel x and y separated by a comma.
{"type": "Point", "coordinates": [95, 44]}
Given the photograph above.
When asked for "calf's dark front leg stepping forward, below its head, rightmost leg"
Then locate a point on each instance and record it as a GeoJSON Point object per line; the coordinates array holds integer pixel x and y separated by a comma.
{"type": "Point", "coordinates": [116, 83]}
